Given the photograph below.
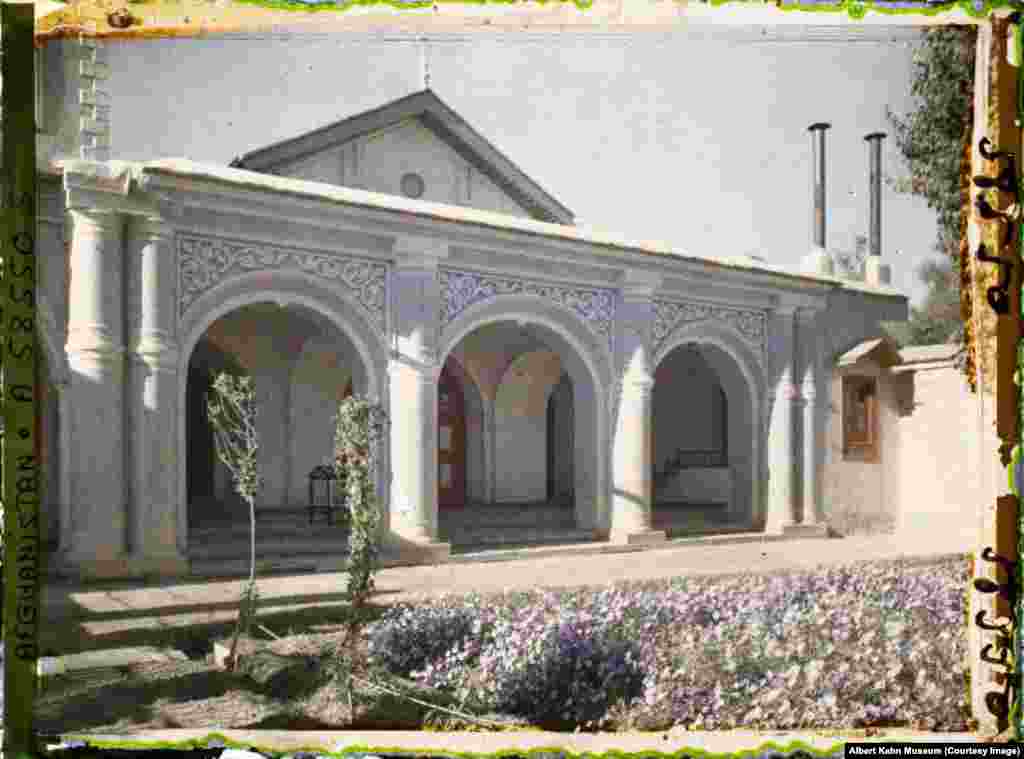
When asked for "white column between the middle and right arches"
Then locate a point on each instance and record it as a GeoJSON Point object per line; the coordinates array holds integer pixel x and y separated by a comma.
{"type": "Point", "coordinates": [632, 451]}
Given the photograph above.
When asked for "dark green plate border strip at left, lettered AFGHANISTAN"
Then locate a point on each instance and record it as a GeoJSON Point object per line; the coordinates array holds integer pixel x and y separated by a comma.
{"type": "Point", "coordinates": [19, 208]}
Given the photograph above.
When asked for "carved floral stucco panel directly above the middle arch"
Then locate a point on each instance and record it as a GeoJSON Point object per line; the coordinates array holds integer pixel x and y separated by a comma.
{"type": "Point", "coordinates": [596, 307]}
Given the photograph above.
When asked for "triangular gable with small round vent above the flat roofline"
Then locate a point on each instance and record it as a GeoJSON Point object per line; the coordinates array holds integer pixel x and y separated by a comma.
{"type": "Point", "coordinates": [418, 136]}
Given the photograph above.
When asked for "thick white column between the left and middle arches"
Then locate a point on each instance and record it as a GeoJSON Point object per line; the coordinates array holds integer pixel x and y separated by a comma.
{"type": "Point", "coordinates": [413, 397]}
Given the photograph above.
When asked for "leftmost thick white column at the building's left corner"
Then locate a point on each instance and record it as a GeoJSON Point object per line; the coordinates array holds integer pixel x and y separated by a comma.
{"type": "Point", "coordinates": [96, 357]}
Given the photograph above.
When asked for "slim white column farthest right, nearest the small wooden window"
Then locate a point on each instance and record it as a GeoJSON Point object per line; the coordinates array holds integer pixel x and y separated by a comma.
{"type": "Point", "coordinates": [812, 350]}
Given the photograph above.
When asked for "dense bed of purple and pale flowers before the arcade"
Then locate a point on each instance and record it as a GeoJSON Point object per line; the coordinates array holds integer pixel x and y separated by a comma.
{"type": "Point", "coordinates": [873, 644]}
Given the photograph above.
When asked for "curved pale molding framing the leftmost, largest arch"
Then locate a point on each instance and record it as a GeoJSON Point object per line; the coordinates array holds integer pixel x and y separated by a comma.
{"type": "Point", "coordinates": [285, 288]}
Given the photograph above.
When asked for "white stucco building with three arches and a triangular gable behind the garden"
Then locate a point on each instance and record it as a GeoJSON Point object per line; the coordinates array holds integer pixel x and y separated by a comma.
{"type": "Point", "coordinates": [560, 377]}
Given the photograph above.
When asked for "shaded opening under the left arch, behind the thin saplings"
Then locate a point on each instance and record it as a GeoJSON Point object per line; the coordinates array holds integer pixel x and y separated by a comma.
{"type": "Point", "coordinates": [303, 367]}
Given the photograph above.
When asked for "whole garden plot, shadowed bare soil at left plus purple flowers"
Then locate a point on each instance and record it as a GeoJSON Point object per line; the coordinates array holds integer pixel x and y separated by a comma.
{"type": "Point", "coordinates": [871, 645]}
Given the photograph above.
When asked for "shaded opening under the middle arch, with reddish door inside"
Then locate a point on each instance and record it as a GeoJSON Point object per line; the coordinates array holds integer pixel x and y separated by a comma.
{"type": "Point", "coordinates": [514, 445]}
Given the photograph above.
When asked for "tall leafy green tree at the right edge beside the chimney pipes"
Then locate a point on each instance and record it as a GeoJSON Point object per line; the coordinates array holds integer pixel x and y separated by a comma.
{"type": "Point", "coordinates": [931, 140]}
